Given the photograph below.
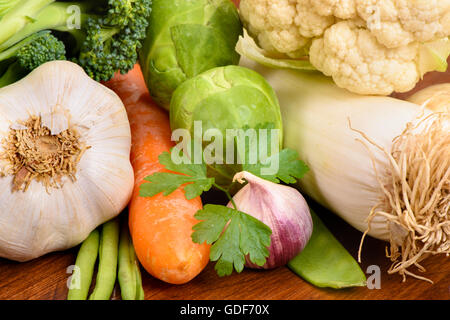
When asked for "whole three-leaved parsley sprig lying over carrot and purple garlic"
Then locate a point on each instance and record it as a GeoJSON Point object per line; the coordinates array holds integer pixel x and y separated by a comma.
{"type": "Point", "coordinates": [234, 235]}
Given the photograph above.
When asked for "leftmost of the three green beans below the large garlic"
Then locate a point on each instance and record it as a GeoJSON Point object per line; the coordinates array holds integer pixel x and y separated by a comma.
{"type": "Point", "coordinates": [84, 268]}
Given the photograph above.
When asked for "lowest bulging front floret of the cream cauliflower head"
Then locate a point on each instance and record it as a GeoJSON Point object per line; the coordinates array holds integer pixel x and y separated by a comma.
{"type": "Point", "coordinates": [357, 61]}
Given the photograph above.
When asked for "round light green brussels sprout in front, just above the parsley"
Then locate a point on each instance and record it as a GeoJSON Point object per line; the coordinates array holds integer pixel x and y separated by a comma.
{"type": "Point", "coordinates": [222, 98]}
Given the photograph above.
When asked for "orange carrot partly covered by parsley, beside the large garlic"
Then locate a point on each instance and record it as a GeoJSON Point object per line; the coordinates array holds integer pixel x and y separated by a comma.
{"type": "Point", "coordinates": [160, 226]}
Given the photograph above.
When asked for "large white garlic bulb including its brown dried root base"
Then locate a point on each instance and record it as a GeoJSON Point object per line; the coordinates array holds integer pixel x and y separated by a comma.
{"type": "Point", "coordinates": [64, 160]}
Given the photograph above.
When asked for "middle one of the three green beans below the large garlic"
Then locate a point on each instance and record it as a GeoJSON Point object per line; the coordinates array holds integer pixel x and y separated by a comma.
{"type": "Point", "coordinates": [107, 266]}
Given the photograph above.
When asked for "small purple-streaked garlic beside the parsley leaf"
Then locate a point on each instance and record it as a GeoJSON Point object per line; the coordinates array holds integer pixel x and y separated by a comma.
{"type": "Point", "coordinates": [280, 207]}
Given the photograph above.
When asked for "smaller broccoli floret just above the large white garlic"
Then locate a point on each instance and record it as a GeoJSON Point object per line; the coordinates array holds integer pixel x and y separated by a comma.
{"type": "Point", "coordinates": [28, 54]}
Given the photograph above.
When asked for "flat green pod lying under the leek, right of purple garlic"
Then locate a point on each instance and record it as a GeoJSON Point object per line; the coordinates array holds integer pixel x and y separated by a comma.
{"type": "Point", "coordinates": [324, 262]}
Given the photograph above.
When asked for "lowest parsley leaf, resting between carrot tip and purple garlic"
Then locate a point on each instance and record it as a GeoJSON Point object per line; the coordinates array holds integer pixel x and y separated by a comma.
{"type": "Point", "coordinates": [243, 236]}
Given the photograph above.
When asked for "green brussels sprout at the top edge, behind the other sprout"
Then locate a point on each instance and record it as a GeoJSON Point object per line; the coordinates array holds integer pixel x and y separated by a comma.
{"type": "Point", "coordinates": [186, 38]}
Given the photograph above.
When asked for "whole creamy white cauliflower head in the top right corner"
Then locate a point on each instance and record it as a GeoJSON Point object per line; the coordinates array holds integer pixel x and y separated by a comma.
{"type": "Point", "coordinates": [367, 46]}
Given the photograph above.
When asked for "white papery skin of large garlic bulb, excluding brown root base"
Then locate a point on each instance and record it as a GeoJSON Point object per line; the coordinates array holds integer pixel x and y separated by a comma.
{"type": "Point", "coordinates": [35, 222]}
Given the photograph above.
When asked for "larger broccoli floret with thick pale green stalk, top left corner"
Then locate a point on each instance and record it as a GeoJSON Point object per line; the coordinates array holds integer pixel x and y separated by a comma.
{"type": "Point", "coordinates": [106, 41]}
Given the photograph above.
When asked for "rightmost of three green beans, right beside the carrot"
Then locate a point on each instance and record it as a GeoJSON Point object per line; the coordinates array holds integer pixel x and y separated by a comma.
{"type": "Point", "coordinates": [130, 280]}
